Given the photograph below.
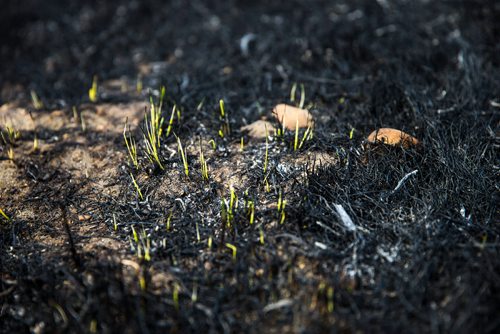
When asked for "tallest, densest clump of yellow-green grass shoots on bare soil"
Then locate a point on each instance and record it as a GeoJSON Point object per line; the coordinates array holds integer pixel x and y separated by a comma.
{"type": "Point", "coordinates": [153, 128]}
